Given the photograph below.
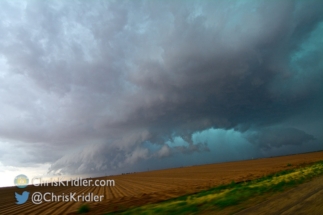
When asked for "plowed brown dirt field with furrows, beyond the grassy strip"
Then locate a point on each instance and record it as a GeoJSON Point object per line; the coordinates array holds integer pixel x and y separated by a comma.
{"type": "Point", "coordinates": [150, 187]}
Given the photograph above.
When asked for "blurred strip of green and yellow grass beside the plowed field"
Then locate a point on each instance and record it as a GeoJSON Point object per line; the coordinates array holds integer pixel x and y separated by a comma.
{"type": "Point", "coordinates": [223, 196]}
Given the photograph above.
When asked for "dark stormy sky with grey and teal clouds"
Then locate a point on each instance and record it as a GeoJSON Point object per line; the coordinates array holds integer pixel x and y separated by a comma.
{"type": "Point", "coordinates": [105, 87]}
